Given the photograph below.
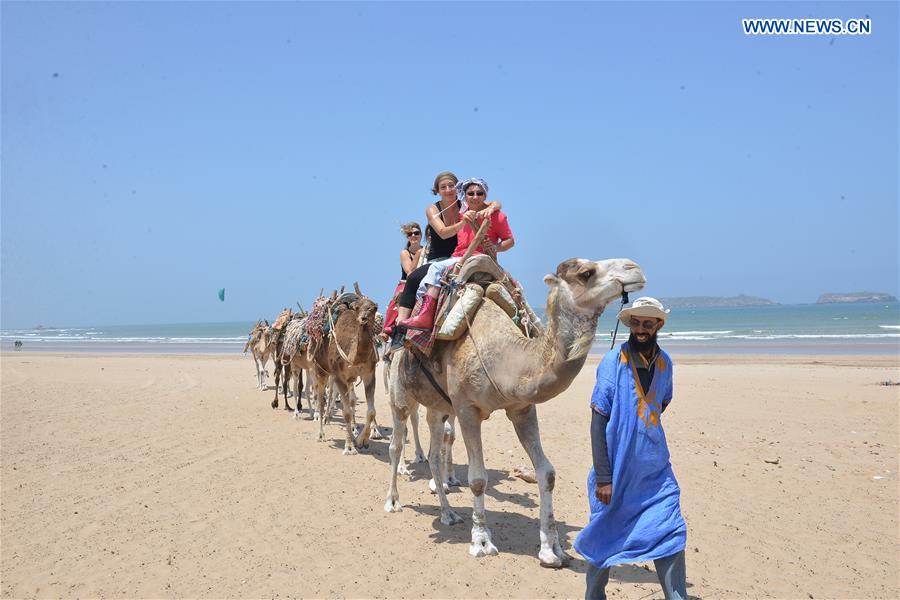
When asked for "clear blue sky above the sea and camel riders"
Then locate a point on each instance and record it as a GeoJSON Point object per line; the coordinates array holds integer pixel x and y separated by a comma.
{"type": "Point", "coordinates": [155, 152]}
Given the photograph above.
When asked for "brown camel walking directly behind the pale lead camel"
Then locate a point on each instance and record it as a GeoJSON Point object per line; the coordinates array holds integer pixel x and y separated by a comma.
{"type": "Point", "coordinates": [347, 353]}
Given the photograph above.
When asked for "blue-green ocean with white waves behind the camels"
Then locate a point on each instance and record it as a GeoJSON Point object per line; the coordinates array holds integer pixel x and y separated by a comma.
{"type": "Point", "coordinates": [778, 329]}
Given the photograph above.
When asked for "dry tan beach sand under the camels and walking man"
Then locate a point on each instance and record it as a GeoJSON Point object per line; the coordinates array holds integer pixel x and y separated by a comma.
{"type": "Point", "coordinates": [150, 476]}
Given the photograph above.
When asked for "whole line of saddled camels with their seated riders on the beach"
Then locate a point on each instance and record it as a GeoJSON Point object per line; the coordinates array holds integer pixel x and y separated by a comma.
{"type": "Point", "coordinates": [471, 345]}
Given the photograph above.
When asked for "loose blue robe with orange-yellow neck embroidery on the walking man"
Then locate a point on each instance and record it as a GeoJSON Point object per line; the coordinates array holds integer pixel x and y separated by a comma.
{"type": "Point", "coordinates": [643, 519]}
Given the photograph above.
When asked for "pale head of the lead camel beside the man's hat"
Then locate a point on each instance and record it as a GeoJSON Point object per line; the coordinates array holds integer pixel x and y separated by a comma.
{"type": "Point", "coordinates": [588, 286]}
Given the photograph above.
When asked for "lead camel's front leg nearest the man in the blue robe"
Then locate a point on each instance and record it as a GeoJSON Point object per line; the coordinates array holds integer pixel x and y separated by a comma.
{"type": "Point", "coordinates": [526, 425]}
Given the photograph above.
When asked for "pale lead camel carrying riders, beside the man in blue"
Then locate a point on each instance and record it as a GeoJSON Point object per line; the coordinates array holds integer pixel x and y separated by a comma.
{"type": "Point", "coordinates": [493, 366]}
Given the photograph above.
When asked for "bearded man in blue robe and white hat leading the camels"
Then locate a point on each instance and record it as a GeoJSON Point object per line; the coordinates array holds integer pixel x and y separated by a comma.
{"type": "Point", "coordinates": [634, 499]}
